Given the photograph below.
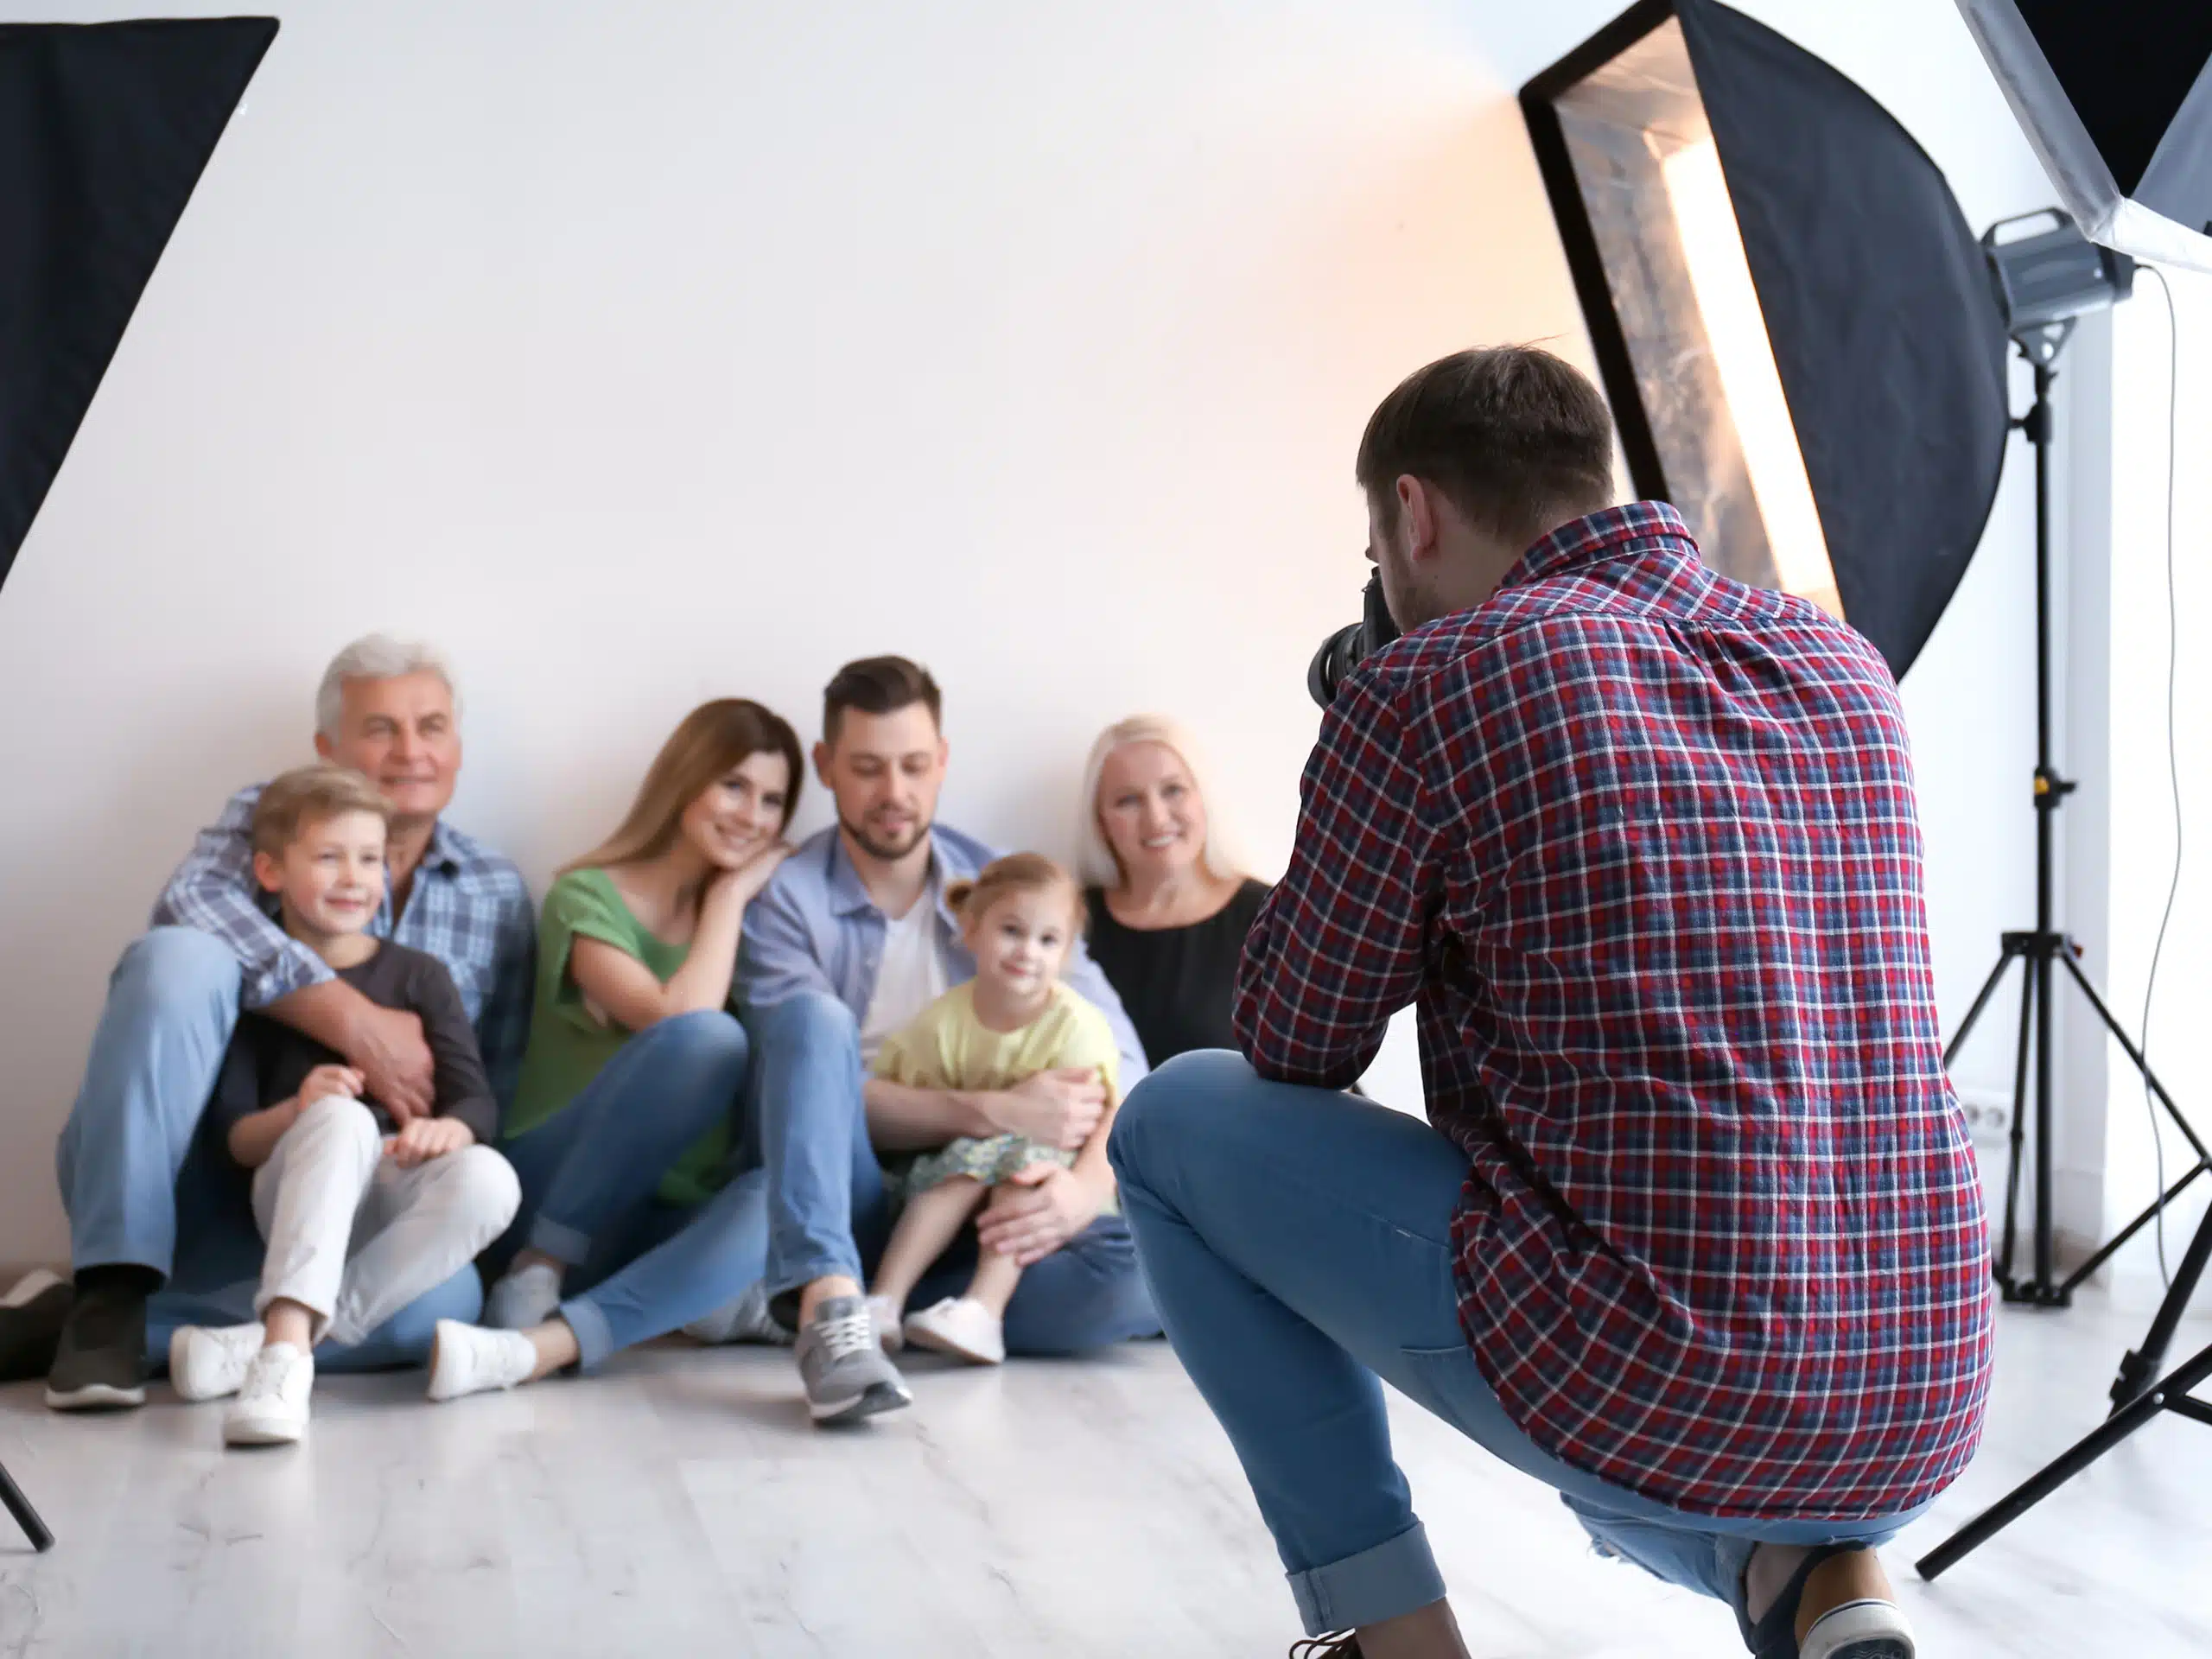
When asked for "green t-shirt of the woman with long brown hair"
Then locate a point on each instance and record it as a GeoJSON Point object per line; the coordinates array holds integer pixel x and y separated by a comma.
{"type": "Point", "coordinates": [572, 1041]}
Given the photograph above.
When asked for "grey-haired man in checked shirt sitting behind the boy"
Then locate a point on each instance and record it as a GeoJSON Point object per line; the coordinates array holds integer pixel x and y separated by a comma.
{"type": "Point", "coordinates": [388, 711]}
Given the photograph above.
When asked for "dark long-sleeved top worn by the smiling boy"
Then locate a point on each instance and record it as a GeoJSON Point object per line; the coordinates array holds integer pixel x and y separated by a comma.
{"type": "Point", "coordinates": [271, 1061]}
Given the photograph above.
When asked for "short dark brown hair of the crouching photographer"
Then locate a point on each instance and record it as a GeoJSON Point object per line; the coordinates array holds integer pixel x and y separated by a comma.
{"type": "Point", "coordinates": [1510, 435]}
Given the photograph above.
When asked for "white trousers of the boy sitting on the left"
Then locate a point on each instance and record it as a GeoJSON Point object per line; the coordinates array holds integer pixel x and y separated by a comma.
{"type": "Point", "coordinates": [353, 1238]}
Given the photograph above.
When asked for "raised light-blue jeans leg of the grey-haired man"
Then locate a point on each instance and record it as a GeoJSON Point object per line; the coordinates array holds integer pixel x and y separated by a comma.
{"type": "Point", "coordinates": [174, 1003]}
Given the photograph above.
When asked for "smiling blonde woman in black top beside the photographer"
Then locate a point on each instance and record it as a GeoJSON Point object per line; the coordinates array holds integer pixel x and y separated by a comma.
{"type": "Point", "coordinates": [1169, 906]}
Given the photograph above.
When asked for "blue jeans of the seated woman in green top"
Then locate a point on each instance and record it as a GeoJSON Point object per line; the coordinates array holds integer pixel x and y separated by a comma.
{"type": "Point", "coordinates": [589, 1173]}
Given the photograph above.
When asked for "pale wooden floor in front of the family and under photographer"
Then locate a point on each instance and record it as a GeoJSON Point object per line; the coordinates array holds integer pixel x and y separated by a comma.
{"type": "Point", "coordinates": [680, 1505]}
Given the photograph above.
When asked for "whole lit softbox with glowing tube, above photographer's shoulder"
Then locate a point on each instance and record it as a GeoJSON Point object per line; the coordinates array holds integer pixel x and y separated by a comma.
{"type": "Point", "coordinates": [1793, 320]}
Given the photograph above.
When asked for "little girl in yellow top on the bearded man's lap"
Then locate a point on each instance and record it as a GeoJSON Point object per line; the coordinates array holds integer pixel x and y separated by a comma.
{"type": "Point", "coordinates": [1019, 919]}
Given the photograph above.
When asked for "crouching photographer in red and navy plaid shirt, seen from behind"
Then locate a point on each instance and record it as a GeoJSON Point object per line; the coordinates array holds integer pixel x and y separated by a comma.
{"type": "Point", "coordinates": [1693, 1231]}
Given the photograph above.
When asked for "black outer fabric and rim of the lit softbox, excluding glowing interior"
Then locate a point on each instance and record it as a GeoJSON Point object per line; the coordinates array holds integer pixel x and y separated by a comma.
{"type": "Point", "coordinates": [1877, 300]}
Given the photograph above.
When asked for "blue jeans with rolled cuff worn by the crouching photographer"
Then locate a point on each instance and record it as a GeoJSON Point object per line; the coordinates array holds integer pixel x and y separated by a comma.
{"type": "Point", "coordinates": [1300, 1246]}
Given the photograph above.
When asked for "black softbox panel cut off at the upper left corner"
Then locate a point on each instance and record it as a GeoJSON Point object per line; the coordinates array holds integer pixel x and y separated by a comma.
{"type": "Point", "coordinates": [105, 132]}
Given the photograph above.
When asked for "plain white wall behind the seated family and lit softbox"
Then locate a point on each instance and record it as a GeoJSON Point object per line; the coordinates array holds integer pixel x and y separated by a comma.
{"type": "Point", "coordinates": [658, 355]}
